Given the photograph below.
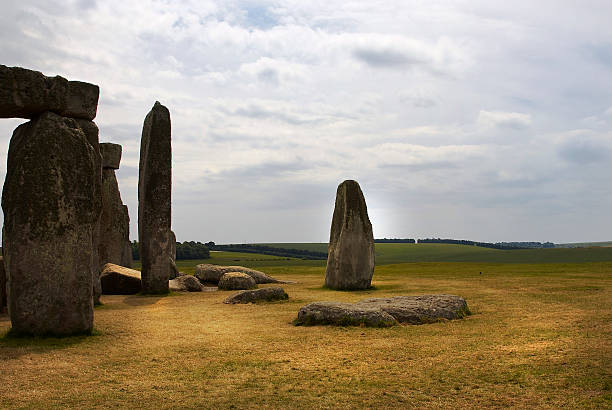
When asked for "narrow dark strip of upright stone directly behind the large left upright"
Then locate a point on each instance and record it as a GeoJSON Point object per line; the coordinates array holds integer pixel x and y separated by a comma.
{"type": "Point", "coordinates": [90, 129]}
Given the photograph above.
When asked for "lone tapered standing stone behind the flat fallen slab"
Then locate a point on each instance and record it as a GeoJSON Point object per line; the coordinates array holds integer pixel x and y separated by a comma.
{"type": "Point", "coordinates": [350, 260]}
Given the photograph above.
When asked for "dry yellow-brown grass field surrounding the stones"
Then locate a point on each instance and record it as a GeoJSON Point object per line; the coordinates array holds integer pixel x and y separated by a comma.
{"type": "Point", "coordinates": [540, 336]}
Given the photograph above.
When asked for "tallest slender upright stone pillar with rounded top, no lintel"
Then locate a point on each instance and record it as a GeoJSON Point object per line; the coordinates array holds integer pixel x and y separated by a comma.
{"type": "Point", "coordinates": [154, 200]}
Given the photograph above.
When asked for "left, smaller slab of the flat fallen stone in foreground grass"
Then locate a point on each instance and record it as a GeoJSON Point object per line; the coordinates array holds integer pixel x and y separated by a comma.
{"type": "Point", "coordinates": [343, 314]}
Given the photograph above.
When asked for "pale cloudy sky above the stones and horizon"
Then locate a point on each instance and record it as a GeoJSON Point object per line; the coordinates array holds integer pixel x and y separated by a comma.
{"type": "Point", "coordinates": [484, 120]}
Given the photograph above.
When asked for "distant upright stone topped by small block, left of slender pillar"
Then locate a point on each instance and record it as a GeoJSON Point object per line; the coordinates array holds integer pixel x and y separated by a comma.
{"type": "Point", "coordinates": [114, 220]}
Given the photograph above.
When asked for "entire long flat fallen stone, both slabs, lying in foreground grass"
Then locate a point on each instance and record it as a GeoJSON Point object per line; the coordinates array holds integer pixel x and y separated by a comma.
{"type": "Point", "coordinates": [414, 310]}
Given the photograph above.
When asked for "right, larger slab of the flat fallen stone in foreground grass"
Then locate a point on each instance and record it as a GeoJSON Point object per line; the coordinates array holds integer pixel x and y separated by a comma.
{"type": "Point", "coordinates": [417, 310]}
